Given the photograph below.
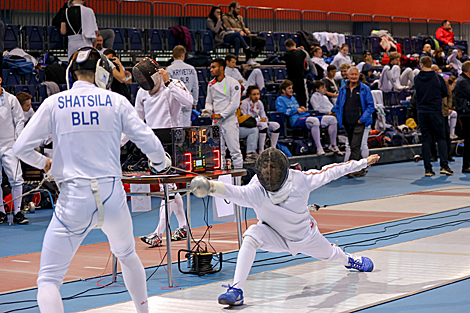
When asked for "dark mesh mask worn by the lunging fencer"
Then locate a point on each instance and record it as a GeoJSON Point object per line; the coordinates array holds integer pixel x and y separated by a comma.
{"type": "Point", "coordinates": [272, 167]}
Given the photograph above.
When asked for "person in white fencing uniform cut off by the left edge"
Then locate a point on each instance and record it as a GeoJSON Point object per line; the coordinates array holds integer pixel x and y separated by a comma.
{"type": "Point", "coordinates": [11, 126]}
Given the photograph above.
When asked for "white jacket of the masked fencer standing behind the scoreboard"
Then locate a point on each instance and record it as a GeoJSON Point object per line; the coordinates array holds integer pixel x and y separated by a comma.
{"type": "Point", "coordinates": [162, 110]}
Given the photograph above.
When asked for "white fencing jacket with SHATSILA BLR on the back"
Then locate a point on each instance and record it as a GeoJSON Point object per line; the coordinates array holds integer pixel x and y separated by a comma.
{"type": "Point", "coordinates": [86, 123]}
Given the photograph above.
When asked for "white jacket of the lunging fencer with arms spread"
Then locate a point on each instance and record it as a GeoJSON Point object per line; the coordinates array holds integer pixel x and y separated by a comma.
{"type": "Point", "coordinates": [290, 218]}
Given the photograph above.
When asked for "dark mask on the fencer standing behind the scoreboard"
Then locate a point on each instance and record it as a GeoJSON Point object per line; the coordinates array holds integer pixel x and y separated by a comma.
{"type": "Point", "coordinates": [146, 75]}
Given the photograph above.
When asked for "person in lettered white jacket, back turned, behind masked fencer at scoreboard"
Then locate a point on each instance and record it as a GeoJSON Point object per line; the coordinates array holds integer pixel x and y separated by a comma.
{"type": "Point", "coordinates": [188, 75]}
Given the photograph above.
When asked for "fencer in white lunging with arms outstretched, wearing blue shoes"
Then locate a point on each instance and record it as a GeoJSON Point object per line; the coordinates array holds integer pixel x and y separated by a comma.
{"type": "Point", "coordinates": [279, 197]}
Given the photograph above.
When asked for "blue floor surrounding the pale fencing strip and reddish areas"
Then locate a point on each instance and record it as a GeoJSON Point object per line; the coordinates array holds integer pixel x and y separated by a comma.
{"type": "Point", "coordinates": [384, 180]}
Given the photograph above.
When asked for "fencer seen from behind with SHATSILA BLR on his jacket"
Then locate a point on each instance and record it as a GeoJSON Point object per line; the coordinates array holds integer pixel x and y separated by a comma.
{"type": "Point", "coordinates": [86, 123]}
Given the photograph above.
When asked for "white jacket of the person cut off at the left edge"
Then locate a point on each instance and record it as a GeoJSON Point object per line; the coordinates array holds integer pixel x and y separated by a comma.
{"type": "Point", "coordinates": [11, 120]}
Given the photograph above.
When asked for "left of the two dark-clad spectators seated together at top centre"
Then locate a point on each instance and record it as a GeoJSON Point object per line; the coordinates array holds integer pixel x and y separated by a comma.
{"type": "Point", "coordinates": [225, 35]}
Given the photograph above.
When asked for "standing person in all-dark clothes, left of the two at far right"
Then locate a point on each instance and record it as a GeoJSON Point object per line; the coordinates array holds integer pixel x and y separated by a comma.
{"type": "Point", "coordinates": [430, 89]}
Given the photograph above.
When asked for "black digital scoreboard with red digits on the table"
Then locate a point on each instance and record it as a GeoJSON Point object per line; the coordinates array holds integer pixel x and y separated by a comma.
{"type": "Point", "coordinates": [194, 149]}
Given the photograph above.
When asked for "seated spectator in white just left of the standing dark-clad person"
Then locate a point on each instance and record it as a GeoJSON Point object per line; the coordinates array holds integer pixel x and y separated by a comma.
{"type": "Point", "coordinates": [391, 79]}
